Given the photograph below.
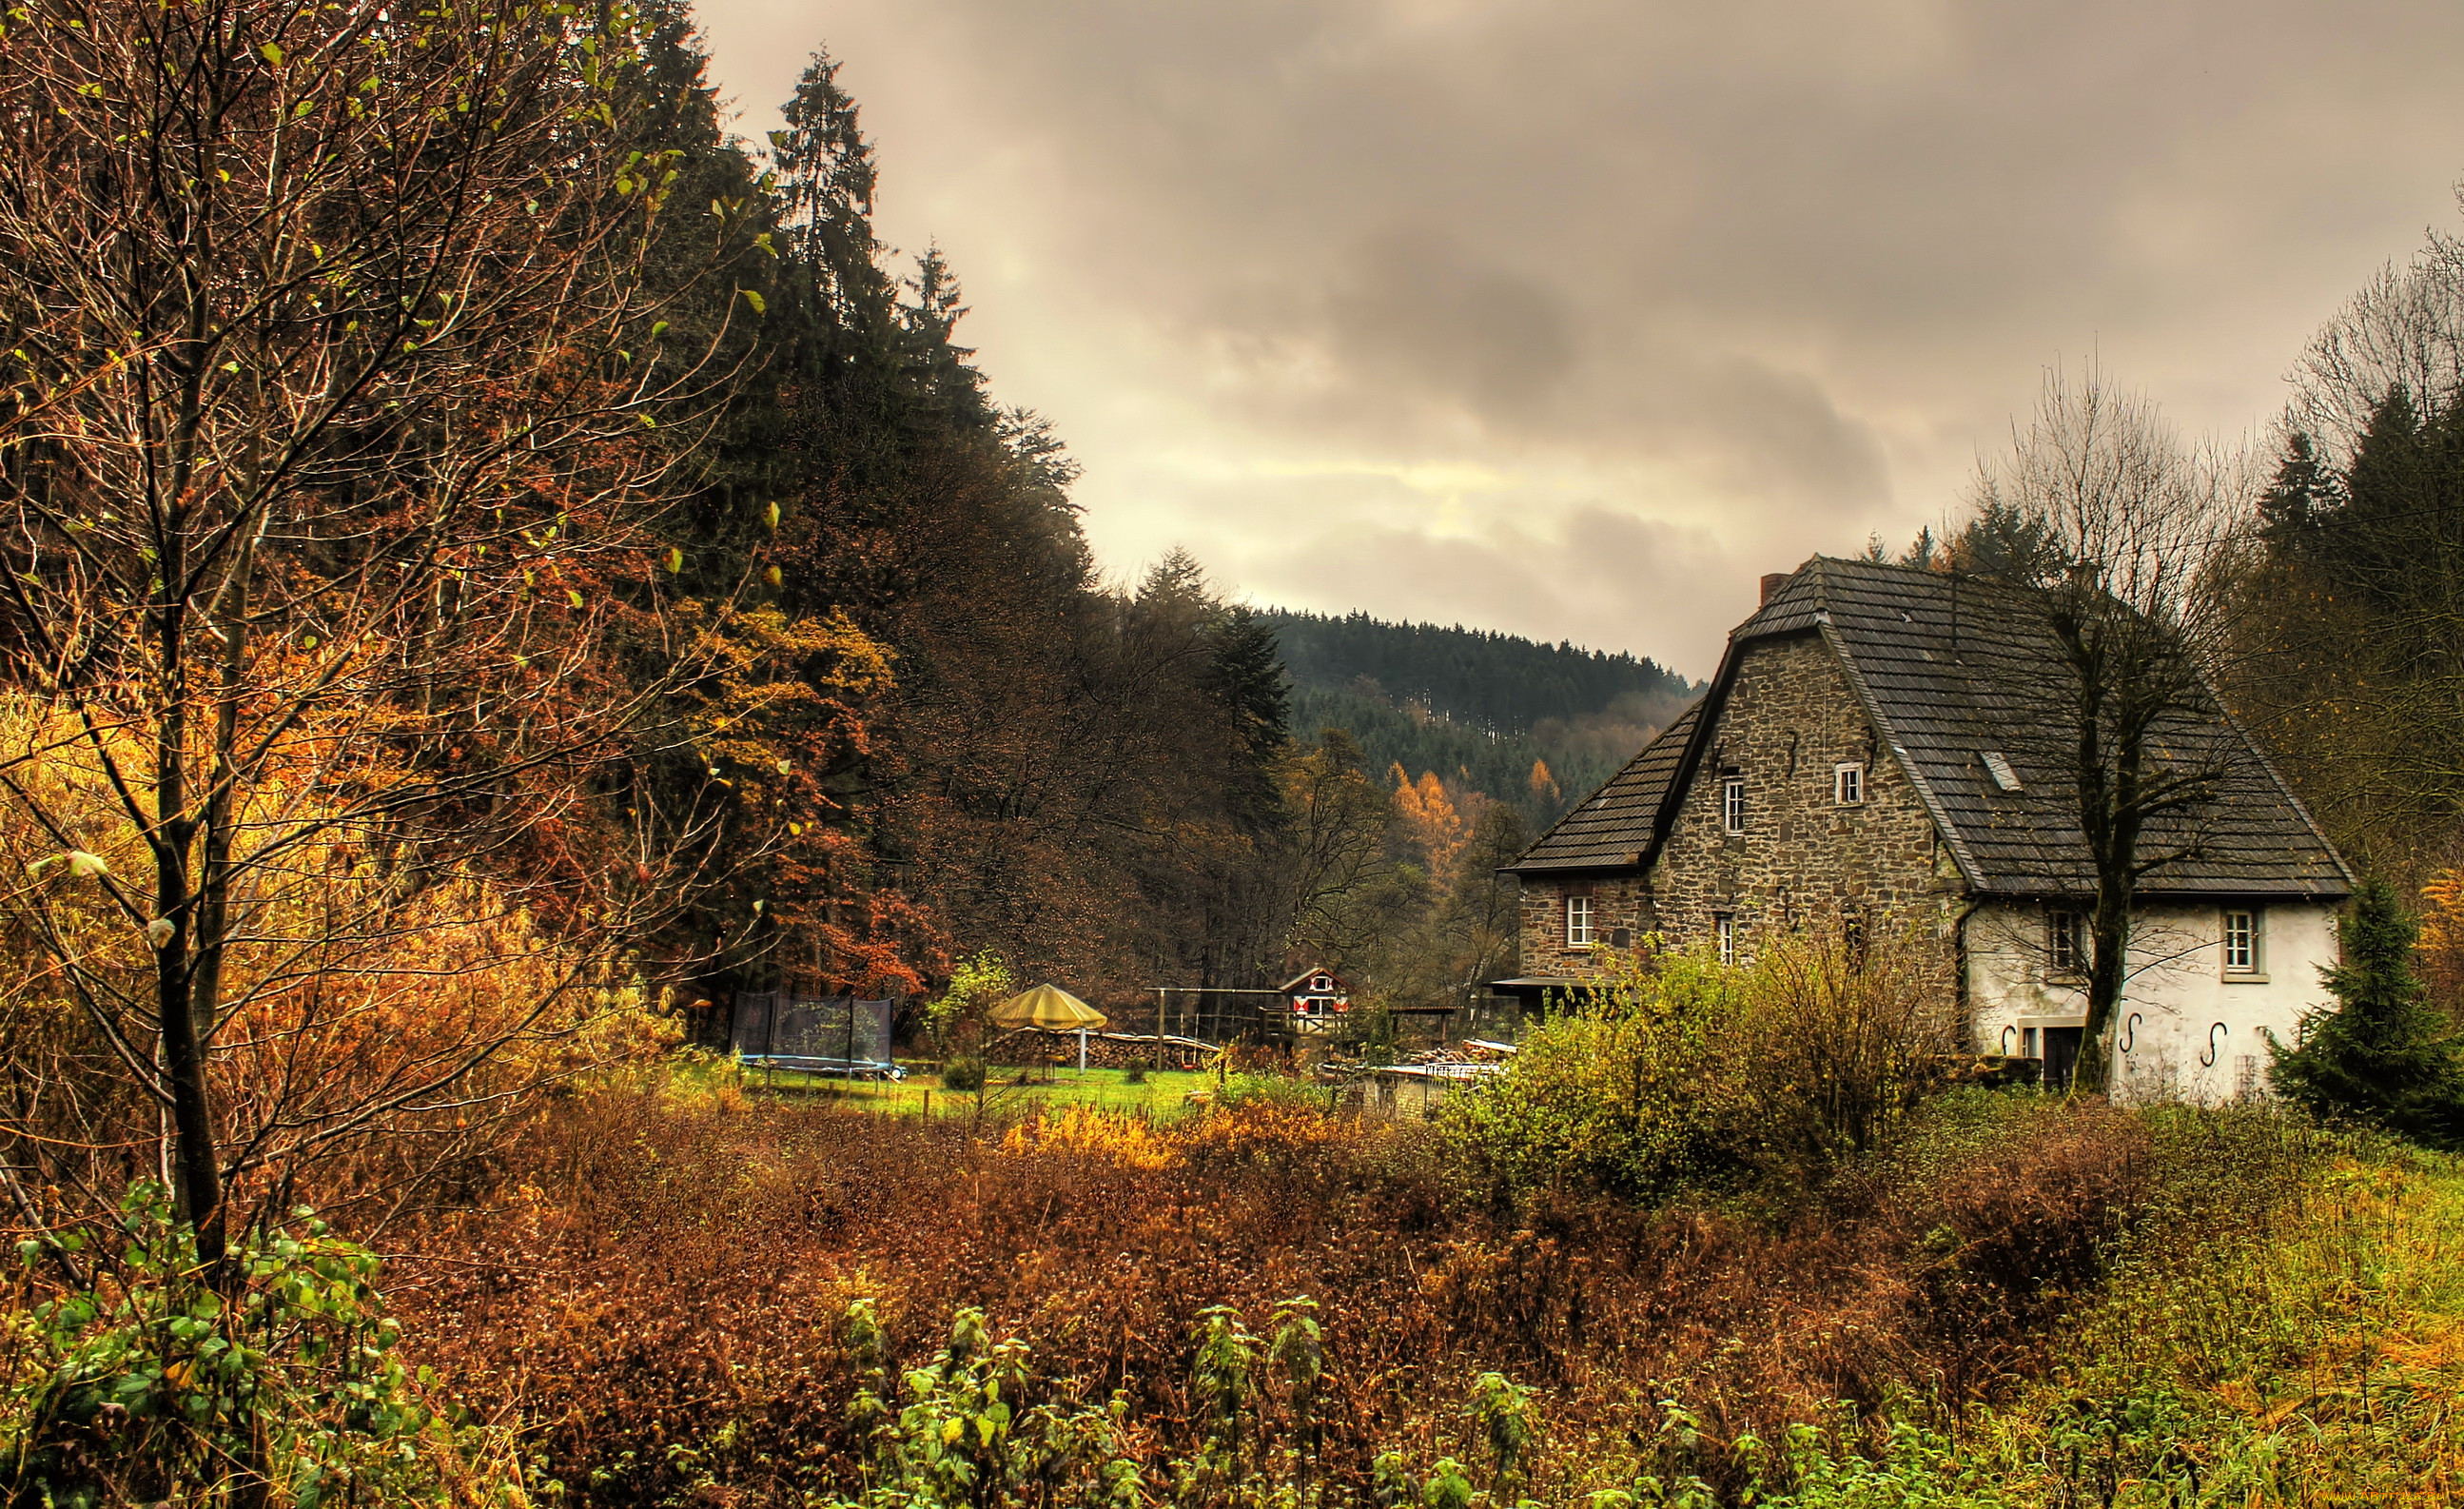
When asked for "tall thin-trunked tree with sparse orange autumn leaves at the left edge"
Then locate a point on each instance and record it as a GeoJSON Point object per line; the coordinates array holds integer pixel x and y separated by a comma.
{"type": "Point", "coordinates": [334, 452]}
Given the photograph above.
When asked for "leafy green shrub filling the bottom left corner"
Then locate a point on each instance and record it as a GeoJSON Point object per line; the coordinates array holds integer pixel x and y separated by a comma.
{"type": "Point", "coordinates": [275, 1380]}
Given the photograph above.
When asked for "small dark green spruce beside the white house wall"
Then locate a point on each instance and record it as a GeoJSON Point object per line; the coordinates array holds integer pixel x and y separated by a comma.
{"type": "Point", "coordinates": [2384, 1054]}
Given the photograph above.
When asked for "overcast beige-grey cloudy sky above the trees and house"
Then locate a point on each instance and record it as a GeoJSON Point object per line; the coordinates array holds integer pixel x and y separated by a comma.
{"type": "Point", "coordinates": [1573, 319]}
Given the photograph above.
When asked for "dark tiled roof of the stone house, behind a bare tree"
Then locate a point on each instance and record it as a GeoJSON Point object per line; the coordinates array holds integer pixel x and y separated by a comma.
{"type": "Point", "coordinates": [1931, 657]}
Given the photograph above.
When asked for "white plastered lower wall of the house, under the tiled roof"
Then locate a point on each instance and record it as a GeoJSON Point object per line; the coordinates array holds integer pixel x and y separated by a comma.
{"type": "Point", "coordinates": [2179, 992]}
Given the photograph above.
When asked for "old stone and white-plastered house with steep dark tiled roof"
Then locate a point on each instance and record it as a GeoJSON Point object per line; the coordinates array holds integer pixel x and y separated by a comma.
{"type": "Point", "coordinates": [1854, 766]}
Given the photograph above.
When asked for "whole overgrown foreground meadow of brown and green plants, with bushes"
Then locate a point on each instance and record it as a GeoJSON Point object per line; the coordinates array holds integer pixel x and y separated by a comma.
{"type": "Point", "coordinates": [1630, 1271]}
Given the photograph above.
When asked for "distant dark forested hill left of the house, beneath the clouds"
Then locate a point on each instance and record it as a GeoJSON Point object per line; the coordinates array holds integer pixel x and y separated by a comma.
{"type": "Point", "coordinates": [1529, 724]}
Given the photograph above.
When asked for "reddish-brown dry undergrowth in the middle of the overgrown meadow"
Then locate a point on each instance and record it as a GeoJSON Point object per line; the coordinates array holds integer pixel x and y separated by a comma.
{"type": "Point", "coordinates": [662, 1288]}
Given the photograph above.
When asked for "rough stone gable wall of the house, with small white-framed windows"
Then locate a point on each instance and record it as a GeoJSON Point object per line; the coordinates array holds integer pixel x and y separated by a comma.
{"type": "Point", "coordinates": [1802, 862]}
